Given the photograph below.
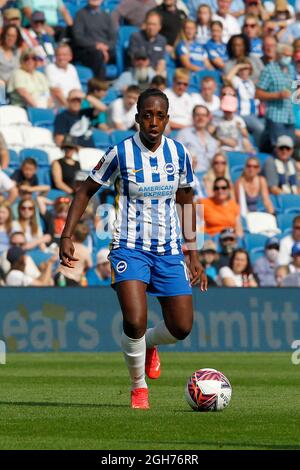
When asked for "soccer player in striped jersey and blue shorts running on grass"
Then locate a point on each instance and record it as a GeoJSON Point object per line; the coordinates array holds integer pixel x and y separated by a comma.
{"type": "Point", "coordinates": [154, 173]}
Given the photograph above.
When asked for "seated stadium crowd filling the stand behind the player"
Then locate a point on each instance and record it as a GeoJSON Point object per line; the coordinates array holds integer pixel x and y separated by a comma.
{"type": "Point", "coordinates": [70, 76]}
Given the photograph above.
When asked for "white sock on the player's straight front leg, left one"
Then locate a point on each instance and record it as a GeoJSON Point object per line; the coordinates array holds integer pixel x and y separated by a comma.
{"type": "Point", "coordinates": [135, 354]}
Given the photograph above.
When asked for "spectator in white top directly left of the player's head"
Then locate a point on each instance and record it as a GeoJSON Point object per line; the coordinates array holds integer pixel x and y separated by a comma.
{"type": "Point", "coordinates": [122, 111]}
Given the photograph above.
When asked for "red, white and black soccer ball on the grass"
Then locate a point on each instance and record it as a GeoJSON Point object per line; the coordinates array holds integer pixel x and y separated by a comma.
{"type": "Point", "coordinates": [208, 390]}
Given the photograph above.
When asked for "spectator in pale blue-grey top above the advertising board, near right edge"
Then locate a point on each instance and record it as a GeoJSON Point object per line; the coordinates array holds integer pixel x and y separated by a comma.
{"type": "Point", "coordinates": [265, 266]}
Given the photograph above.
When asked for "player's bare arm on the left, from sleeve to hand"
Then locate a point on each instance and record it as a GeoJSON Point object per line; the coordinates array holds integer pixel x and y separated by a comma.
{"type": "Point", "coordinates": [66, 250]}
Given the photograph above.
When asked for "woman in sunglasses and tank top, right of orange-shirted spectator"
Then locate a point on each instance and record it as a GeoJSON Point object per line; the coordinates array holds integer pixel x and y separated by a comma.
{"type": "Point", "coordinates": [251, 187]}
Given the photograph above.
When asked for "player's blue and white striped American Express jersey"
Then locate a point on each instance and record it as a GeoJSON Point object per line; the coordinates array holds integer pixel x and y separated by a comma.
{"type": "Point", "coordinates": [146, 216]}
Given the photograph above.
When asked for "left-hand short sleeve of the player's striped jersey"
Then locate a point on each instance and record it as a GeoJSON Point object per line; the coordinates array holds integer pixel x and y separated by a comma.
{"type": "Point", "coordinates": [107, 169]}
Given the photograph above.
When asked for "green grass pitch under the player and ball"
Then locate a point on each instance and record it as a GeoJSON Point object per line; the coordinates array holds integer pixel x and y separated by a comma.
{"type": "Point", "coordinates": [81, 401]}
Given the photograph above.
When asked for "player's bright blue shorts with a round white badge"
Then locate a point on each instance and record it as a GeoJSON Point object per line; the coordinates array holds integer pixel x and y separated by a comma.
{"type": "Point", "coordinates": [165, 275]}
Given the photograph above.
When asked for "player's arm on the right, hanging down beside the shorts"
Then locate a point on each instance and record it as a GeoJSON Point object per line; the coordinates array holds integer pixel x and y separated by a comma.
{"type": "Point", "coordinates": [184, 197]}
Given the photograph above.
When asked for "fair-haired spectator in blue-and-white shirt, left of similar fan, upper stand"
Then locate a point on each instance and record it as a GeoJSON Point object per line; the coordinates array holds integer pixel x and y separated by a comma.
{"type": "Point", "coordinates": [189, 52]}
